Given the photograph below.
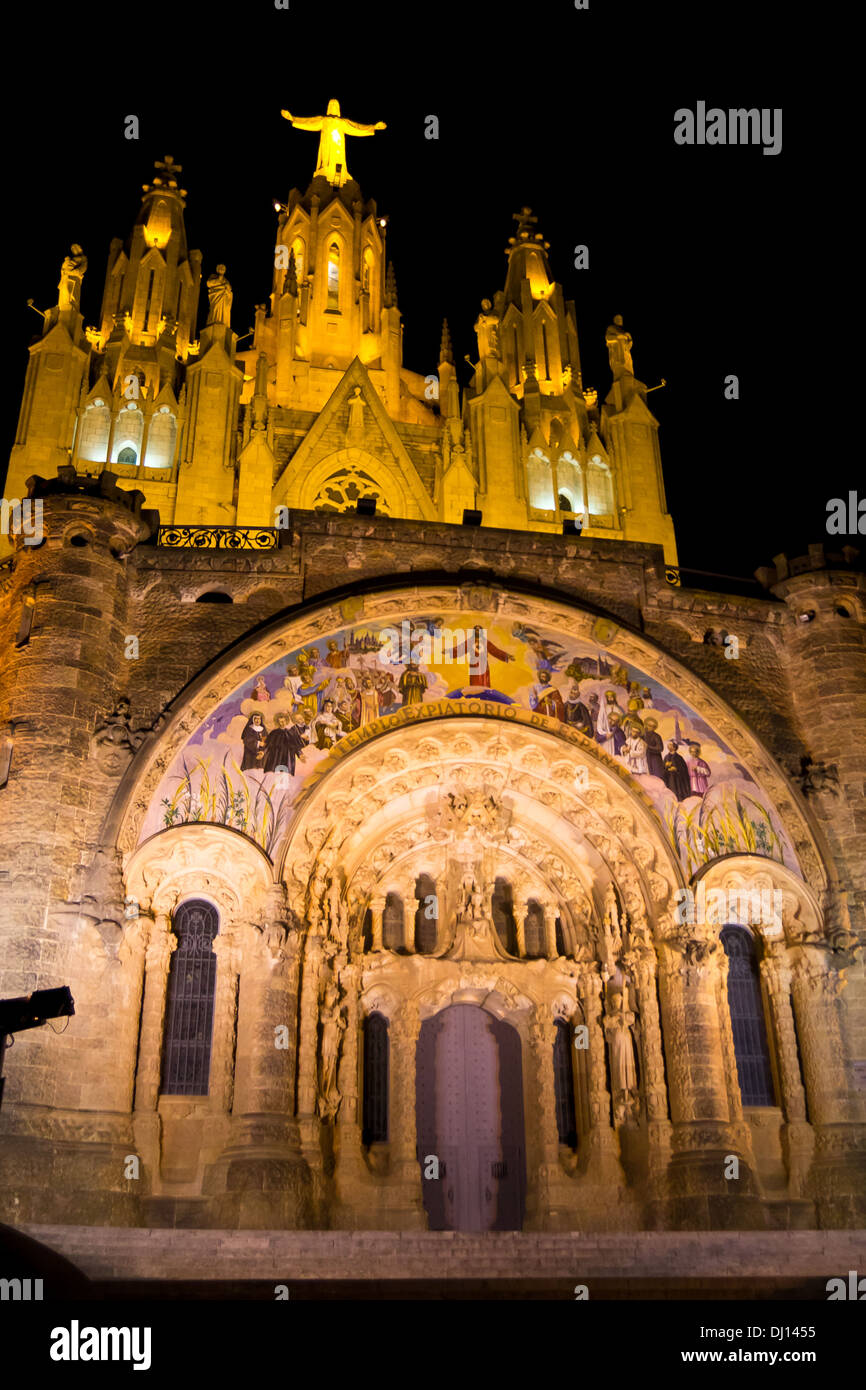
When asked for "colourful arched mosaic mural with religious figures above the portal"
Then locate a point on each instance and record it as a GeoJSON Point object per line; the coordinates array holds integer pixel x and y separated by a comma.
{"type": "Point", "coordinates": [245, 765]}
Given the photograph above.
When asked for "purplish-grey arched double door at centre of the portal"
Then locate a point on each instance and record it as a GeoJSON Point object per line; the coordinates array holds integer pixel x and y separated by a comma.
{"type": "Point", "coordinates": [469, 1095]}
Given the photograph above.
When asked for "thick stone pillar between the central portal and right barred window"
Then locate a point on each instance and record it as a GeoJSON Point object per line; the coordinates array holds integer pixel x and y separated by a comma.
{"type": "Point", "coordinates": [704, 1138]}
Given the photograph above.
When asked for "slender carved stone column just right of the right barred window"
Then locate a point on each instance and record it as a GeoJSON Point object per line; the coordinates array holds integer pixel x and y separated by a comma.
{"type": "Point", "coordinates": [797, 1135]}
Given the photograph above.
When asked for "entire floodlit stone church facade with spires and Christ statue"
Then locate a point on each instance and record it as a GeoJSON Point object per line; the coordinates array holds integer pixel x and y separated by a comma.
{"type": "Point", "coordinates": [420, 853]}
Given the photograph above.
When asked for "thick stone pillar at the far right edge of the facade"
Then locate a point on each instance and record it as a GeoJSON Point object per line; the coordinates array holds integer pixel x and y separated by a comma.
{"type": "Point", "coordinates": [838, 1181]}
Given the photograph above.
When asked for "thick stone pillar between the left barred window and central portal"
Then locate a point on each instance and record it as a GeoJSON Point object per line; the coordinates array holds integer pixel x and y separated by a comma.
{"type": "Point", "coordinates": [261, 1178]}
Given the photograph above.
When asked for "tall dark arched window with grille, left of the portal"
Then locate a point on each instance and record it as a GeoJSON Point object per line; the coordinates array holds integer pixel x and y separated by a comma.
{"type": "Point", "coordinates": [190, 1007]}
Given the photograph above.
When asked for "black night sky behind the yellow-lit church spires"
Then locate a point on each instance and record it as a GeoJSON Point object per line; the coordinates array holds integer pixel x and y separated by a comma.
{"type": "Point", "coordinates": [715, 256]}
